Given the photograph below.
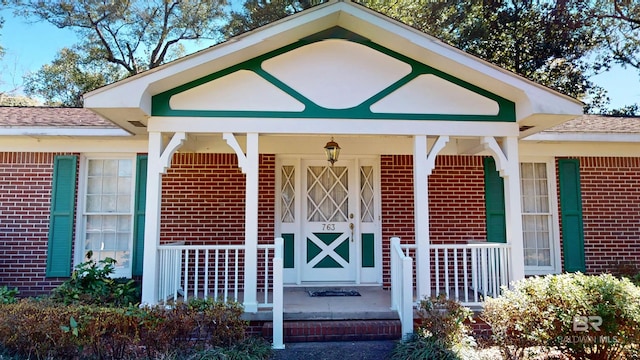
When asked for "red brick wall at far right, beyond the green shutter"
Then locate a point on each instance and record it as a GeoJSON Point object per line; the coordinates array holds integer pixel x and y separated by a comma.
{"type": "Point", "coordinates": [611, 212]}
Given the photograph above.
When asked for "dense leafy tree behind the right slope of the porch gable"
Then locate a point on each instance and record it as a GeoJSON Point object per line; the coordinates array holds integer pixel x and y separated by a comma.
{"type": "Point", "coordinates": [544, 41]}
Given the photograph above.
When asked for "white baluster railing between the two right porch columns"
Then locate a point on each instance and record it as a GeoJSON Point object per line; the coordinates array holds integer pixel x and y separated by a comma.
{"type": "Point", "coordinates": [469, 272]}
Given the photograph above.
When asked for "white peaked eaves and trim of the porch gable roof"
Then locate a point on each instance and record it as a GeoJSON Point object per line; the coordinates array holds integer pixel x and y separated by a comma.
{"type": "Point", "coordinates": [537, 107]}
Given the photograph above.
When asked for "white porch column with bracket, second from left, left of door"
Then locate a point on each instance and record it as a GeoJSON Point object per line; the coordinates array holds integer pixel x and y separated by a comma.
{"type": "Point", "coordinates": [249, 164]}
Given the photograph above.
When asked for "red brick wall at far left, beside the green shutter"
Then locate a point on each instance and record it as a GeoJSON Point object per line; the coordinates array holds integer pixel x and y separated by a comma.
{"type": "Point", "coordinates": [25, 199]}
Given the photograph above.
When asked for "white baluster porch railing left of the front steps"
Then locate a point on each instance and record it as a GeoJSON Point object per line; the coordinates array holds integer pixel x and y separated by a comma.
{"type": "Point", "coordinates": [216, 271]}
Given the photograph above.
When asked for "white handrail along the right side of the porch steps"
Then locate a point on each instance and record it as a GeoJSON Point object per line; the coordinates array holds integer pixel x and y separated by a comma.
{"type": "Point", "coordinates": [402, 286]}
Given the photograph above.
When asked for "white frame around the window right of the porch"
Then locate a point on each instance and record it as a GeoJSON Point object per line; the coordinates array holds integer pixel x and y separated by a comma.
{"type": "Point", "coordinates": [554, 230]}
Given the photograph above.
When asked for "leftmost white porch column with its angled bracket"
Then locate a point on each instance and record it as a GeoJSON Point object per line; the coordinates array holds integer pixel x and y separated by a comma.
{"type": "Point", "coordinates": [159, 160]}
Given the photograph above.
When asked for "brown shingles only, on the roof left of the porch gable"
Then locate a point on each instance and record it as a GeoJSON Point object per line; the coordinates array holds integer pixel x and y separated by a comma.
{"type": "Point", "coordinates": [38, 117]}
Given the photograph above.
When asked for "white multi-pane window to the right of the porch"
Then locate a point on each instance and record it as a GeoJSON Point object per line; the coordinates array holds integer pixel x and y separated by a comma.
{"type": "Point", "coordinates": [541, 248]}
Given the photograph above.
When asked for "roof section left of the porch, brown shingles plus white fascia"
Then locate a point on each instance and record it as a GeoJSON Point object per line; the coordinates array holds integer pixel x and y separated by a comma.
{"type": "Point", "coordinates": [55, 121]}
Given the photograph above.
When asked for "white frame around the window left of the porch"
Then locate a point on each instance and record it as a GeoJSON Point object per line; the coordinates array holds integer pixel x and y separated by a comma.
{"type": "Point", "coordinates": [81, 215]}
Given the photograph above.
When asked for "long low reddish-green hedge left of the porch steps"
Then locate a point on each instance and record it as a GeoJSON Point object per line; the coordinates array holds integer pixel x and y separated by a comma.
{"type": "Point", "coordinates": [44, 329]}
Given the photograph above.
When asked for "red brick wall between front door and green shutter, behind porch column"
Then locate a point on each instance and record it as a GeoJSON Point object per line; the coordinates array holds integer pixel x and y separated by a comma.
{"type": "Point", "coordinates": [456, 201]}
